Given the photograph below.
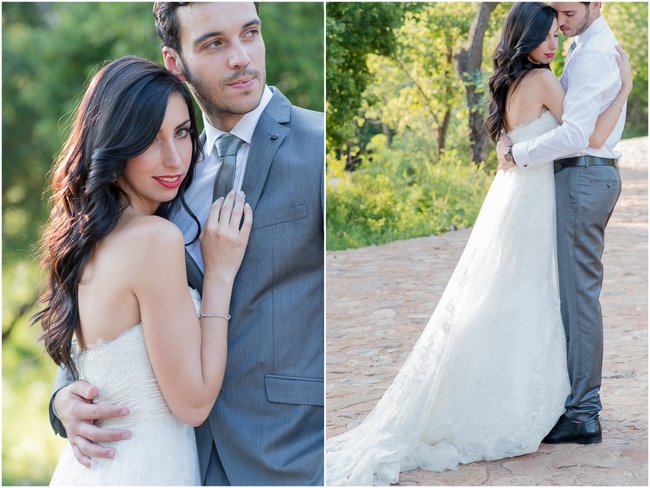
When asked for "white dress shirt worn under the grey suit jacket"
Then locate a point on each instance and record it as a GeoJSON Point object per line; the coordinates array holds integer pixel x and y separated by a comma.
{"type": "Point", "coordinates": [199, 195]}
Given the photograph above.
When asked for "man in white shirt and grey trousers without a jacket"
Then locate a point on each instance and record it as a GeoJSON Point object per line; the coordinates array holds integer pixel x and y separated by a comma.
{"type": "Point", "coordinates": [587, 185]}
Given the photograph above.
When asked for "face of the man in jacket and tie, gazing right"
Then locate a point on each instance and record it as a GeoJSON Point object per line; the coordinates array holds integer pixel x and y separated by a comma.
{"type": "Point", "coordinates": [222, 58]}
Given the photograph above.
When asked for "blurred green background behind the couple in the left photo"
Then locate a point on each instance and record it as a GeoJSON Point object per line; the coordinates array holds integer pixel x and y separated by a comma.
{"type": "Point", "coordinates": [49, 50]}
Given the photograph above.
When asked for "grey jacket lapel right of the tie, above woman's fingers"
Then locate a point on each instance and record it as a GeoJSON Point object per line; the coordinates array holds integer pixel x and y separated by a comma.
{"type": "Point", "coordinates": [269, 134]}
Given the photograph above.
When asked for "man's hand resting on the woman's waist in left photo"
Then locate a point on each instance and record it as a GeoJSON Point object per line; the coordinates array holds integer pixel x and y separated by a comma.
{"type": "Point", "coordinates": [74, 408]}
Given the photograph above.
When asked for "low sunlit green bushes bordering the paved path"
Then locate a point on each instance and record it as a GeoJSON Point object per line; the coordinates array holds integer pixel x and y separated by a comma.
{"type": "Point", "coordinates": [398, 194]}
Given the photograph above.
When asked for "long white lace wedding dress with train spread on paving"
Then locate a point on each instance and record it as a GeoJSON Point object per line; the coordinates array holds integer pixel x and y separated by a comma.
{"type": "Point", "coordinates": [487, 378]}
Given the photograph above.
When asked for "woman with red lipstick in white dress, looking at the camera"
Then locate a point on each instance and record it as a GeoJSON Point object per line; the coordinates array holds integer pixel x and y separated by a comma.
{"type": "Point", "coordinates": [117, 309]}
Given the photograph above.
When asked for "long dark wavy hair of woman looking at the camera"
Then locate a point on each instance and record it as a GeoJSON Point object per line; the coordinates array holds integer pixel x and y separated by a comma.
{"type": "Point", "coordinates": [118, 118]}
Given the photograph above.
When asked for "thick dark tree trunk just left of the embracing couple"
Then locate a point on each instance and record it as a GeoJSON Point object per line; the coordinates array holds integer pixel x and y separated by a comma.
{"type": "Point", "coordinates": [469, 66]}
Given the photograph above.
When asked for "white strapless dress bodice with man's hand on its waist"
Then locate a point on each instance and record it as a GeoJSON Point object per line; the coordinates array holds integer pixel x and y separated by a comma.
{"type": "Point", "coordinates": [162, 450]}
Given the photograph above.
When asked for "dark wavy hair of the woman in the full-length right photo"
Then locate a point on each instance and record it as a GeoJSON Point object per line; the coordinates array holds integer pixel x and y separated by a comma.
{"type": "Point", "coordinates": [526, 27]}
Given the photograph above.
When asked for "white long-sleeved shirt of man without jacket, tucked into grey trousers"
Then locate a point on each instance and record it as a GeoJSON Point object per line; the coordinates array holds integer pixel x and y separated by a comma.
{"type": "Point", "coordinates": [591, 80]}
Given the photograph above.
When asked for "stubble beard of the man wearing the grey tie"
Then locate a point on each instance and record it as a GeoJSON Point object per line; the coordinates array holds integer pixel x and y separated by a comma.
{"type": "Point", "coordinates": [217, 109]}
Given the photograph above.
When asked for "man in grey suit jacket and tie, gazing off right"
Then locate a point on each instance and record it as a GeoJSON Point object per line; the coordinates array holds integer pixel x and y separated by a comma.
{"type": "Point", "coordinates": [266, 427]}
